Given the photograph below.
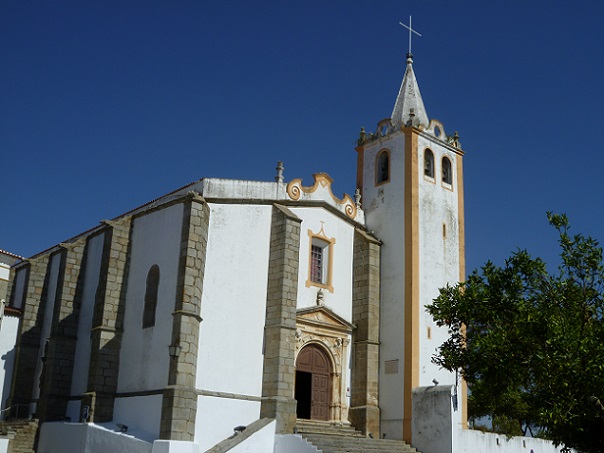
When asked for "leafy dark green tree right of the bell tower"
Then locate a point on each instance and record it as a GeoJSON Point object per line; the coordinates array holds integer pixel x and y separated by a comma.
{"type": "Point", "coordinates": [530, 344]}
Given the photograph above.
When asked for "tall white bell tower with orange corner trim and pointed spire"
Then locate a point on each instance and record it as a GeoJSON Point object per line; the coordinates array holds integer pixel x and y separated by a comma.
{"type": "Point", "coordinates": [410, 175]}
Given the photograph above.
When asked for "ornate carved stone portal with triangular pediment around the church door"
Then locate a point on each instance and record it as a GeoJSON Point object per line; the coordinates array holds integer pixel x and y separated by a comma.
{"type": "Point", "coordinates": [328, 334]}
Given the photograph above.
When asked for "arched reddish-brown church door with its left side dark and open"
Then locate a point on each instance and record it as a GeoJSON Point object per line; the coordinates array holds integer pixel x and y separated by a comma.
{"type": "Point", "coordinates": [313, 383]}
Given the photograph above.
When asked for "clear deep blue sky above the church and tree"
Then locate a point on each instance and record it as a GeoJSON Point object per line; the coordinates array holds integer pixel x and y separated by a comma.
{"type": "Point", "coordinates": [105, 105]}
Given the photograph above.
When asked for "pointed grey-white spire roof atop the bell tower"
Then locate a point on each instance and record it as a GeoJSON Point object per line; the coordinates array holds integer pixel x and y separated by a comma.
{"type": "Point", "coordinates": [409, 98]}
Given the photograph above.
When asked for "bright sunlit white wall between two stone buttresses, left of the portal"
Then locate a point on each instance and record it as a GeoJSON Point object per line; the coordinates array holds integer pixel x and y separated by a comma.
{"type": "Point", "coordinates": [233, 308]}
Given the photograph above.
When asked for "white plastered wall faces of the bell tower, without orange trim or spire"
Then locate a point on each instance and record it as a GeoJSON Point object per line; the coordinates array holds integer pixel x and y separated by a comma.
{"type": "Point", "coordinates": [439, 261]}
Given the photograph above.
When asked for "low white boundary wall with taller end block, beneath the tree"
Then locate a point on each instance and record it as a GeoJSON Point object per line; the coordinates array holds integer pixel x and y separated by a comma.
{"type": "Point", "coordinates": [434, 429]}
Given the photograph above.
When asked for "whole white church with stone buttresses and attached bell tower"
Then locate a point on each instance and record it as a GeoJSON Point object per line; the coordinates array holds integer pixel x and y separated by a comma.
{"type": "Point", "coordinates": [226, 302]}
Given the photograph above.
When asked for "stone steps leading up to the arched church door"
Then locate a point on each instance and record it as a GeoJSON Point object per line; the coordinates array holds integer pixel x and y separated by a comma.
{"type": "Point", "coordinates": [345, 439]}
